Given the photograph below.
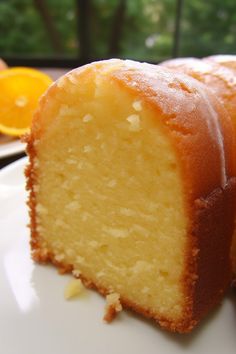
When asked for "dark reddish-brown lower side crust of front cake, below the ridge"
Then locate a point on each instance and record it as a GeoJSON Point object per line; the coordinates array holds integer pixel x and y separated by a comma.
{"type": "Point", "coordinates": [209, 237]}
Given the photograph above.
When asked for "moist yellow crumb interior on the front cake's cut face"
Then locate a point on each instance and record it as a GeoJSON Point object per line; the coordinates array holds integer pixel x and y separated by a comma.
{"type": "Point", "coordinates": [109, 195]}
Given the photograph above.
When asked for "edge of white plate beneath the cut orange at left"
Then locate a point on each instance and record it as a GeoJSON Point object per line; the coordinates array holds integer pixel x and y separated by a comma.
{"type": "Point", "coordinates": [10, 146]}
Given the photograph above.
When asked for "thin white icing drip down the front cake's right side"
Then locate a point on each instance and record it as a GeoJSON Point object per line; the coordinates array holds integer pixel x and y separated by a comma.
{"type": "Point", "coordinates": [215, 130]}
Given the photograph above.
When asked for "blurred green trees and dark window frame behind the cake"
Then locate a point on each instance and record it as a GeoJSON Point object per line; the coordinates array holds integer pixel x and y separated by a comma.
{"type": "Point", "coordinates": [68, 33]}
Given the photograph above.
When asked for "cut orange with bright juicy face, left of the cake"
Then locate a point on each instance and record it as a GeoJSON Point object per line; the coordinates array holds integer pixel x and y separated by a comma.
{"type": "Point", "coordinates": [20, 90]}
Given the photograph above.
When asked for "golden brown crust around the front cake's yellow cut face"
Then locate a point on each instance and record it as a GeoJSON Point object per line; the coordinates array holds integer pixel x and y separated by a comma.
{"type": "Point", "coordinates": [207, 196]}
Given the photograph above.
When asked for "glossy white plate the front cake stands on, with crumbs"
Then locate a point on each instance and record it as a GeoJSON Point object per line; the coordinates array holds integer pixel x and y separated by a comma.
{"type": "Point", "coordinates": [35, 318]}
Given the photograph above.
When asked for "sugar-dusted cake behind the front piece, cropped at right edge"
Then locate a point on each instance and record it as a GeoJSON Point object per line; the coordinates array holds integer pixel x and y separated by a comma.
{"type": "Point", "coordinates": [218, 73]}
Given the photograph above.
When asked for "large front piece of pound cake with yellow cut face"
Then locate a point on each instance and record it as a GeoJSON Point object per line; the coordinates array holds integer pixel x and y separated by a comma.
{"type": "Point", "coordinates": [131, 188]}
